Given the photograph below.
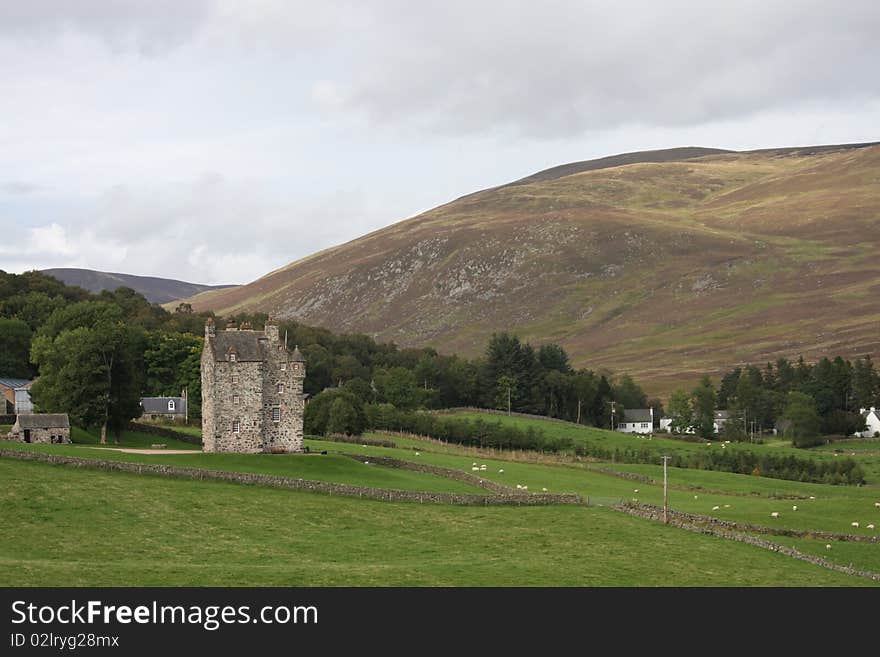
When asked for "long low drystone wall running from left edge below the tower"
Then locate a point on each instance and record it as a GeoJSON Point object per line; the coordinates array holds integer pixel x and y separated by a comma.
{"type": "Point", "coordinates": [274, 481]}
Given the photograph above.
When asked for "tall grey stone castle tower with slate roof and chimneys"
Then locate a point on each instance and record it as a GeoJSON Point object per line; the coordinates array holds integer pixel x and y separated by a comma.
{"type": "Point", "coordinates": [252, 387]}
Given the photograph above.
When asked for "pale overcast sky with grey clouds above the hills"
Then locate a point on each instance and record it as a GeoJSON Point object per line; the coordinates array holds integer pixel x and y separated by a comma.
{"type": "Point", "coordinates": [215, 140]}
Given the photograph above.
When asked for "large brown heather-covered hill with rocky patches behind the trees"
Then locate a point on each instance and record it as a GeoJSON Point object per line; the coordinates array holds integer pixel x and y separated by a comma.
{"type": "Point", "coordinates": [688, 262]}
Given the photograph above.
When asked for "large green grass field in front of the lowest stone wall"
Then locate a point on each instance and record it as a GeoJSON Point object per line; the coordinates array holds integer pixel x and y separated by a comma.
{"type": "Point", "coordinates": [86, 528]}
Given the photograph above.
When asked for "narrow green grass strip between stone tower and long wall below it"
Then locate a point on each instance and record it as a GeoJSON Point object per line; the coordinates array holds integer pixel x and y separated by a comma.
{"type": "Point", "coordinates": [330, 467]}
